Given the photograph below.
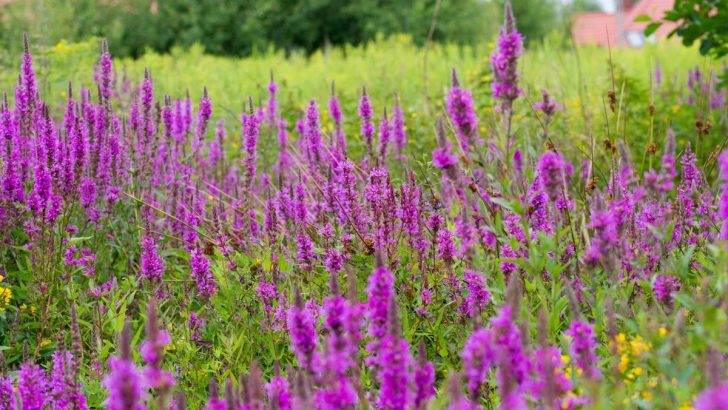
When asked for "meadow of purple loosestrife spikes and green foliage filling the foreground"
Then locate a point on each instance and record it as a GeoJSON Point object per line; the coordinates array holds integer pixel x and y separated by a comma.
{"type": "Point", "coordinates": [333, 257]}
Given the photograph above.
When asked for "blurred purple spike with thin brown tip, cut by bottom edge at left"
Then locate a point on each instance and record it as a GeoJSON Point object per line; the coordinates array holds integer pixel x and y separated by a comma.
{"type": "Point", "coordinates": [124, 381]}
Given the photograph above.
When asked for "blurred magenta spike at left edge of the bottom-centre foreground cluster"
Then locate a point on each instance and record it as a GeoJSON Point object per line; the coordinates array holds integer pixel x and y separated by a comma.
{"type": "Point", "coordinates": [302, 329]}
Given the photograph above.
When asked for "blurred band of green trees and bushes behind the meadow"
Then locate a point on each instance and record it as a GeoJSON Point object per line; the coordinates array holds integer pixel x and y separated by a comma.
{"type": "Point", "coordinates": [244, 27]}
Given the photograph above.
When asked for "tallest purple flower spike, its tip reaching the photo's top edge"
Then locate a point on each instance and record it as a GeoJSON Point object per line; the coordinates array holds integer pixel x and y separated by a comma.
{"type": "Point", "coordinates": [504, 61]}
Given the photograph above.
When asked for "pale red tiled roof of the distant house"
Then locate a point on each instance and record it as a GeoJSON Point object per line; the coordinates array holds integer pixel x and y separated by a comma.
{"type": "Point", "coordinates": [592, 27]}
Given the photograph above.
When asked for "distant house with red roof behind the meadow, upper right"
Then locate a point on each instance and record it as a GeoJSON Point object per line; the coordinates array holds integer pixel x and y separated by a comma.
{"type": "Point", "coordinates": [620, 28]}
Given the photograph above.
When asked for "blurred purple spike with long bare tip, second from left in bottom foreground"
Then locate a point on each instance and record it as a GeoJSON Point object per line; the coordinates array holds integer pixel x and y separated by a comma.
{"type": "Point", "coordinates": [152, 352]}
